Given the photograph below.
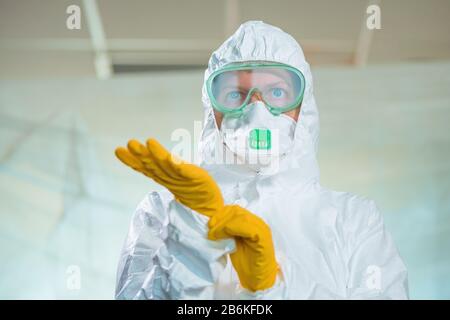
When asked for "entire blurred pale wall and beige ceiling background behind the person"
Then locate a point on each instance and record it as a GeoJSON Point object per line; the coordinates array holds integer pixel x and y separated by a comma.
{"type": "Point", "coordinates": [135, 68]}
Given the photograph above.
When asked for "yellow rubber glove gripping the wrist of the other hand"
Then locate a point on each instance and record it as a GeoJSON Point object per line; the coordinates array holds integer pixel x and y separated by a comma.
{"type": "Point", "coordinates": [254, 258]}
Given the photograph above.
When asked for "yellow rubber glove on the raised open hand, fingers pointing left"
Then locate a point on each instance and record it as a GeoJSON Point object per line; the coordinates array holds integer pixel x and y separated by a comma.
{"type": "Point", "coordinates": [190, 184]}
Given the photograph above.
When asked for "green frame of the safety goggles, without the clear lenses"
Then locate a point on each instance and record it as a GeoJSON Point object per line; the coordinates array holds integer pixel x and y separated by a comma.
{"type": "Point", "coordinates": [253, 65]}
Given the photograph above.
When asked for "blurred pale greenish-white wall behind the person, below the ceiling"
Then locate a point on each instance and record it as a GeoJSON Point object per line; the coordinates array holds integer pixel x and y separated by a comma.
{"type": "Point", "coordinates": [65, 200]}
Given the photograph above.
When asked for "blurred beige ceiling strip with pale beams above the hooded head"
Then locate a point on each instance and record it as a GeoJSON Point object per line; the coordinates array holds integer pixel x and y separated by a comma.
{"type": "Point", "coordinates": [34, 39]}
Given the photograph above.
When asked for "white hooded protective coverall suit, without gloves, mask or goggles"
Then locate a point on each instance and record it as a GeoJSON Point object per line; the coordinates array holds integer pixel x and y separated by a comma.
{"type": "Point", "coordinates": [329, 245]}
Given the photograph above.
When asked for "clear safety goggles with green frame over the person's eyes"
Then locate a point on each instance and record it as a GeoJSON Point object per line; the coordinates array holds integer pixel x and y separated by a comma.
{"type": "Point", "coordinates": [279, 86]}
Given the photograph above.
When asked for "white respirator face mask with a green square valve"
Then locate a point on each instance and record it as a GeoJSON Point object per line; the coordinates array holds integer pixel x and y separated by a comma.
{"type": "Point", "coordinates": [257, 136]}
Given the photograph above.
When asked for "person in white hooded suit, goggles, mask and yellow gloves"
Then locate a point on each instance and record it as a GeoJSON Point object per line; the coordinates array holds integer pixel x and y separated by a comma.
{"type": "Point", "coordinates": [259, 226]}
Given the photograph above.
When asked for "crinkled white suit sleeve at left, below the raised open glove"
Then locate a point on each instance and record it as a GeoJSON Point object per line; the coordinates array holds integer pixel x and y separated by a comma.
{"type": "Point", "coordinates": [166, 254]}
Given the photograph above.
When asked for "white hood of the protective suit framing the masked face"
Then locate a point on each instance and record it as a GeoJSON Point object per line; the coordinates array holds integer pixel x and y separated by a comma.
{"type": "Point", "coordinates": [258, 41]}
